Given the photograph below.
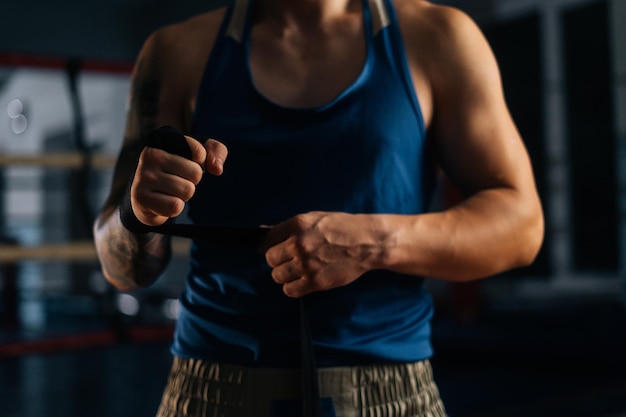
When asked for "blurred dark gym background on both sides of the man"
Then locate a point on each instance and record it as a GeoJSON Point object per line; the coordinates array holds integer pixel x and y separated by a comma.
{"type": "Point", "coordinates": [548, 340]}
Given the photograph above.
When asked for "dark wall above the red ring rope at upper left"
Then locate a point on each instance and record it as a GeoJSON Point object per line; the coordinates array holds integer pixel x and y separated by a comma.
{"type": "Point", "coordinates": [110, 30]}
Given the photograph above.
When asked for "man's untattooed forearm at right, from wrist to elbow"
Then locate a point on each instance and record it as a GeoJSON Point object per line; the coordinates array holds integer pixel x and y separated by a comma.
{"type": "Point", "coordinates": [491, 232]}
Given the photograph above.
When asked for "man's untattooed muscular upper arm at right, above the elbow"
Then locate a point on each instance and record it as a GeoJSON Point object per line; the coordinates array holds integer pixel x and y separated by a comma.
{"type": "Point", "coordinates": [474, 135]}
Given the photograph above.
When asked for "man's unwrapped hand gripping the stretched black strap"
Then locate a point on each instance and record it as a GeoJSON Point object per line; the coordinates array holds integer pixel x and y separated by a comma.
{"type": "Point", "coordinates": [319, 251]}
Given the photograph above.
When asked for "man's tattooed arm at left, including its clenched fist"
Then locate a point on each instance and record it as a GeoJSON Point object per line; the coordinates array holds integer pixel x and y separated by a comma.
{"type": "Point", "coordinates": [163, 88]}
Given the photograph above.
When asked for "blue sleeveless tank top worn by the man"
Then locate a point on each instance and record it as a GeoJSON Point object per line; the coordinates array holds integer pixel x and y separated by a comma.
{"type": "Point", "coordinates": [363, 152]}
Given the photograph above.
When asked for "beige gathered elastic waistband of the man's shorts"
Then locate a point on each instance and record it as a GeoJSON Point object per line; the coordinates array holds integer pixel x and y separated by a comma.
{"type": "Point", "coordinates": [198, 388]}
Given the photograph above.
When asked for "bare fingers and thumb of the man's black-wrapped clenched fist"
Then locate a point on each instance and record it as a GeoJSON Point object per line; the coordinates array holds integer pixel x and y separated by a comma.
{"type": "Point", "coordinates": [164, 182]}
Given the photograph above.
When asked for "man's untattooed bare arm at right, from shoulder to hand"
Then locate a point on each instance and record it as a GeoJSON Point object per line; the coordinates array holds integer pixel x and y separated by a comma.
{"type": "Point", "coordinates": [496, 227]}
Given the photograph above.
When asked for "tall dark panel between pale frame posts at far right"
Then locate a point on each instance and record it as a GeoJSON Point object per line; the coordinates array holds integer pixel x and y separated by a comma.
{"type": "Point", "coordinates": [591, 137]}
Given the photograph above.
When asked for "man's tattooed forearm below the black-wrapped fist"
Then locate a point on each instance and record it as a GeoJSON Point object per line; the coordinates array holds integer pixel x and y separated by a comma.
{"type": "Point", "coordinates": [129, 260]}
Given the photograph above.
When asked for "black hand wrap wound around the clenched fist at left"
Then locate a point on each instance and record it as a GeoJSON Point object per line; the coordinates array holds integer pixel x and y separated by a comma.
{"type": "Point", "coordinates": [169, 140]}
